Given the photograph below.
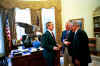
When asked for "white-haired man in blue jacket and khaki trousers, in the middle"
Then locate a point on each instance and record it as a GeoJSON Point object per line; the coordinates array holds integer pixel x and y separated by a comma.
{"type": "Point", "coordinates": [66, 38]}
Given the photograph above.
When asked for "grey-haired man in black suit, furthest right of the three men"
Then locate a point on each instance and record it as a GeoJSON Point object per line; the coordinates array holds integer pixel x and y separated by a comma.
{"type": "Point", "coordinates": [80, 46]}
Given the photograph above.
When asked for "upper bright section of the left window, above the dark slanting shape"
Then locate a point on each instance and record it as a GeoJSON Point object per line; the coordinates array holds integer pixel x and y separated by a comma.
{"type": "Point", "coordinates": [23, 15]}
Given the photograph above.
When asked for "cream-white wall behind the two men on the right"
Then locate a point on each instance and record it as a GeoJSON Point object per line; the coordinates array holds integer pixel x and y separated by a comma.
{"type": "Point", "coordinates": [72, 9]}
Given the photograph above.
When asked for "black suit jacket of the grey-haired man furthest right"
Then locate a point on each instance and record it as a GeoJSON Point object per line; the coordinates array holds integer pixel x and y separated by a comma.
{"type": "Point", "coordinates": [80, 46]}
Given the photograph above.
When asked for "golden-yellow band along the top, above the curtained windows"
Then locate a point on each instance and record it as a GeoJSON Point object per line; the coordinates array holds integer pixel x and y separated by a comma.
{"type": "Point", "coordinates": [27, 3]}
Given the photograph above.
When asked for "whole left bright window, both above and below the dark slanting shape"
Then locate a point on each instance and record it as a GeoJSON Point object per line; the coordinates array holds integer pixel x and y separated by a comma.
{"type": "Point", "coordinates": [22, 16]}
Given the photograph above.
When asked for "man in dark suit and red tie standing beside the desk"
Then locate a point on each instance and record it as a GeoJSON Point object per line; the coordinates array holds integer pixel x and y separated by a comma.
{"type": "Point", "coordinates": [48, 42]}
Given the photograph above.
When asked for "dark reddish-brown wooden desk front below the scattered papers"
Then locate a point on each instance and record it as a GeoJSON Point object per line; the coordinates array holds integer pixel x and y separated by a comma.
{"type": "Point", "coordinates": [34, 59]}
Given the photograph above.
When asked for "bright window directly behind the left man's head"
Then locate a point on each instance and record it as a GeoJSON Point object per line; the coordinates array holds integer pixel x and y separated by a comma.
{"type": "Point", "coordinates": [48, 15]}
